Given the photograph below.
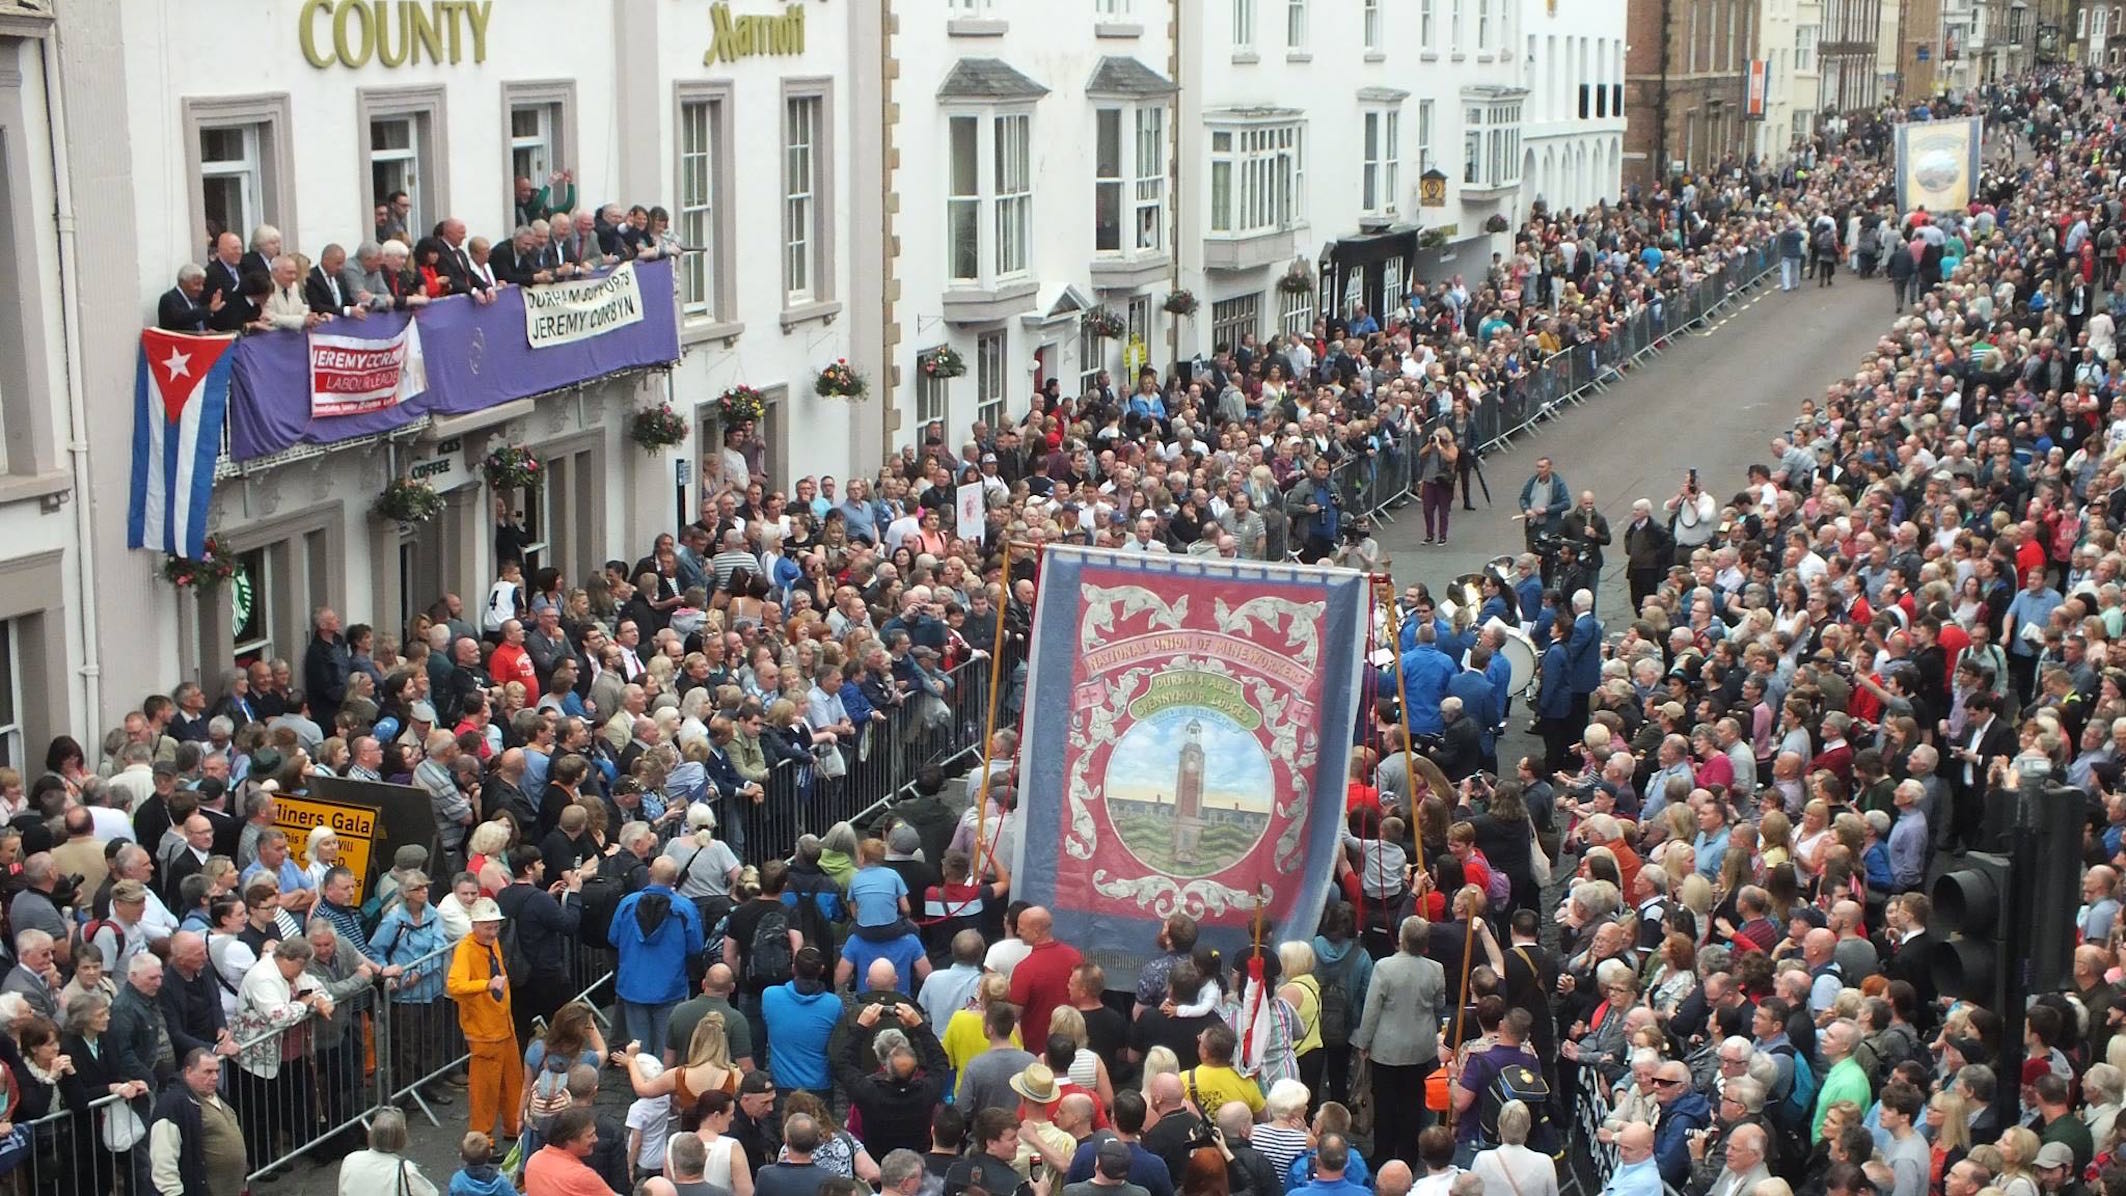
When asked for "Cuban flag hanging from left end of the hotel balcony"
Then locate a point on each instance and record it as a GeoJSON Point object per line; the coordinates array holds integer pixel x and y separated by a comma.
{"type": "Point", "coordinates": [182, 398]}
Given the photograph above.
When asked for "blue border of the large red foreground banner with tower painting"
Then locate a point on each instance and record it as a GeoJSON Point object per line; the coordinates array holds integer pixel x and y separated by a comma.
{"type": "Point", "coordinates": [1124, 944]}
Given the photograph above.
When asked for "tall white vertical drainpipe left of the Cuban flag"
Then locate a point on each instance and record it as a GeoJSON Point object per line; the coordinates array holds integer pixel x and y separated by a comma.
{"type": "Point", "coordinates": [78, 417]}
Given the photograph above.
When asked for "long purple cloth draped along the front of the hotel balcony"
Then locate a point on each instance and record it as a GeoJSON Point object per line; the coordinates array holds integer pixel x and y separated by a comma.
{"type": "Point", "coordinates": [477, 358]}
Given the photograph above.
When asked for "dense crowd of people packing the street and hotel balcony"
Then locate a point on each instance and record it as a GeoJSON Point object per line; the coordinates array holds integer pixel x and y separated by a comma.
{"type": "Point", "coordinates": [1823, 689]}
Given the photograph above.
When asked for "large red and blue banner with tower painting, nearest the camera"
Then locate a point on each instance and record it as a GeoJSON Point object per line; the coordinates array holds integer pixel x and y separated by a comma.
{"type": "Point", "coordinates": [1187, 736]}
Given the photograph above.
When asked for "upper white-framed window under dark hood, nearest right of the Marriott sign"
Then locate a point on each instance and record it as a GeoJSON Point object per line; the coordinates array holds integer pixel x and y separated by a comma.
{"type": "Point", "coordinates": [990, 194]}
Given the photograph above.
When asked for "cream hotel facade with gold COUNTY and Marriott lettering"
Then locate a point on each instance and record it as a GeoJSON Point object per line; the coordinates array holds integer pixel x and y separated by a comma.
{"type": "Point", "coordinates": [726, 116]}
